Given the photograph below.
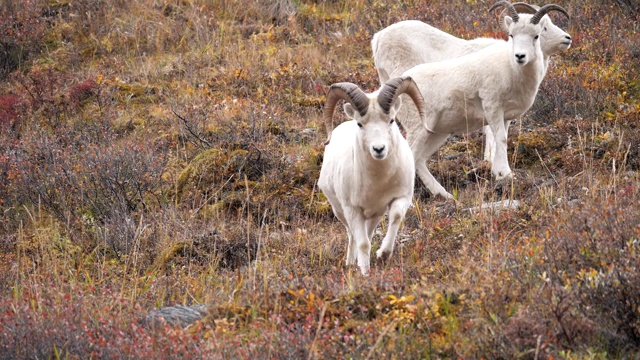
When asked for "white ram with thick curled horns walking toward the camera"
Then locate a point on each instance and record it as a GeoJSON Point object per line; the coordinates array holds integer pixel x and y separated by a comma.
{"type": "Point", "coordinates": [368, 169]}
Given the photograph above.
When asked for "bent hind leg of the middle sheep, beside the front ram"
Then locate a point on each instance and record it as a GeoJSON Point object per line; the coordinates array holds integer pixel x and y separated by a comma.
{"type": "Point", "coordinates": [423, 146]}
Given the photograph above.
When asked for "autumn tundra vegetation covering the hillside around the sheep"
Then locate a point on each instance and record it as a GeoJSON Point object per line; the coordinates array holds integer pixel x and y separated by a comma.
{"type": "Point", "coordinates": [165, 154]}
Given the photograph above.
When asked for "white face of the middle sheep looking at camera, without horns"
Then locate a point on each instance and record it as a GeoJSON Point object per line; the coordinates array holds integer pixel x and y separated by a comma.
{"type": "Point", "coordinates": [525, 39]}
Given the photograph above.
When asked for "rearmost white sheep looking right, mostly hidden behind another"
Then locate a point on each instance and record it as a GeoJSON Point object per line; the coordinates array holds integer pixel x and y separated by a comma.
{"type": "Point", "coordinates": [406, 44]}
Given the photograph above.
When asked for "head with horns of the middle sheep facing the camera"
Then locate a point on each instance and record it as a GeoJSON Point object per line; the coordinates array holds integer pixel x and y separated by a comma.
{"type": "Point", "coordinates": [524, 34]}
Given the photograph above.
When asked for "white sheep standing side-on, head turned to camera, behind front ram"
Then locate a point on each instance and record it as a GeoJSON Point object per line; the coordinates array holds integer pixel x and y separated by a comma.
{"type": "Point", "coordinates": [490, 86]}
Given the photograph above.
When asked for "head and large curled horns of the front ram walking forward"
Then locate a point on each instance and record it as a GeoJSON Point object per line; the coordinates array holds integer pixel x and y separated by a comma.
{"type": "Point", "coordinates": [374, 113]}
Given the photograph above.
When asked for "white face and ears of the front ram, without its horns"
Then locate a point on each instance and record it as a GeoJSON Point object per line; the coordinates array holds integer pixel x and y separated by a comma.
{"type": "Point", "coordinates": [376, 130]}
